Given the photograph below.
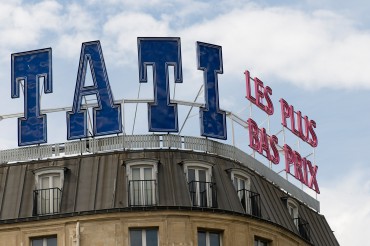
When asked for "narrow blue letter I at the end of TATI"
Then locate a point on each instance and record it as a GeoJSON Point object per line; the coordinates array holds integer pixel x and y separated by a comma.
{"type": "Point", "coordinates": [213, 120]}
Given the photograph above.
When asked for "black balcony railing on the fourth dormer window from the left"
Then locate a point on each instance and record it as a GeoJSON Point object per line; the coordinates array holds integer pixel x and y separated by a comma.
{"type": "Point", "coordinates": [251, 202]}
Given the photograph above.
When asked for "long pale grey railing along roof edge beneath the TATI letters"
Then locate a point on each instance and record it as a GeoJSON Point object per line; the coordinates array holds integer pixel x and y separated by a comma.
{"type": "Point", "coordinates": [152, 141]}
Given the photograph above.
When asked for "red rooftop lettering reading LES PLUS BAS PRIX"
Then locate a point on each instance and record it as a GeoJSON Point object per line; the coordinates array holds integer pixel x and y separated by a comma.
{"type": "Point", "coordinates": [266, 145]}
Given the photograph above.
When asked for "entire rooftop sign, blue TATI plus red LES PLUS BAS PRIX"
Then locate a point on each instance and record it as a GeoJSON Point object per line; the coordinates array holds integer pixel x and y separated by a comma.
{"type": "Point", "coordinates": [32, 67]}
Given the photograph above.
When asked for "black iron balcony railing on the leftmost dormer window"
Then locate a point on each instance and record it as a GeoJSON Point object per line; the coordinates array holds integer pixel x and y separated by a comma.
{"type": "Point", "coordinates": [46, 201]}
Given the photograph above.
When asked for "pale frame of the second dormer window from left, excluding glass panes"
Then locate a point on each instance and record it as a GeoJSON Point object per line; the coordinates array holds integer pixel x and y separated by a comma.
{"type": "Point", "coordinates": [141, 164]}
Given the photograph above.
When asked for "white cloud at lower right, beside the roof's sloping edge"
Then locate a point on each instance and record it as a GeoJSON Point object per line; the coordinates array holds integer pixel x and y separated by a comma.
{"type": "Point", "coordinates": [346, 205]}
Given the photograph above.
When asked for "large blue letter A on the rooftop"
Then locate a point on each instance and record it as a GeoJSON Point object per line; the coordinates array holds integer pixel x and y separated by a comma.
{"type": "Point", "coordinates": [107, 116]}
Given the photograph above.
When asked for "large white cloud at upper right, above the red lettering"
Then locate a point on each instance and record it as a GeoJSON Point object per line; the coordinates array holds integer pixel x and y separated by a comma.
{"type": "Point", "coordinates": [320, 49]}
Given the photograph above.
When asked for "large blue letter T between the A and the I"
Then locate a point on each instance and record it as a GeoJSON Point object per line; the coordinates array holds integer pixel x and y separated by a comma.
{"type": "Point", "coordinates": [160, 53]}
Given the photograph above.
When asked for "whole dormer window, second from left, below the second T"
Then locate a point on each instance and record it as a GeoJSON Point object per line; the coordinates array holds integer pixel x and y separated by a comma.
{"type": "Point", "coordinates": [142, 182]}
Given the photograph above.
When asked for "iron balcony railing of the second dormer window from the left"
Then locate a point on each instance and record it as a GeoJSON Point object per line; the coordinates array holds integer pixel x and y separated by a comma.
{"type": "Point", "coordinates": [142, 192]}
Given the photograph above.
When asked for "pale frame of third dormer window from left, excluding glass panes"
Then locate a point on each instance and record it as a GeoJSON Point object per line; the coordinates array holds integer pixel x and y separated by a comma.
{"type": "Point", "coordinates": [199, 165]}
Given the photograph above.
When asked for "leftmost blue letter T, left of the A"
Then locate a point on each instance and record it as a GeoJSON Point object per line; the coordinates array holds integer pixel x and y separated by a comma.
{"type": "Point", "coordinates": [30, 67]}
